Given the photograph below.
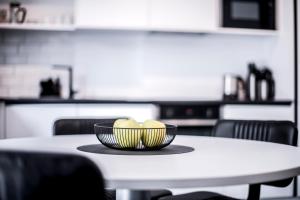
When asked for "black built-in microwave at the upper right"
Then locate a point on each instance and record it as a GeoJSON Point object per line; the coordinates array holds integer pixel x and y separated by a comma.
{"type": "Point", "coordinates": [258, 14]}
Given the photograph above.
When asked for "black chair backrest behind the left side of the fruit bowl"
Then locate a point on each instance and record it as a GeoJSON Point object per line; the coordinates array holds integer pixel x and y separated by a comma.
{"type": "Point", "coordinates": [77, 126]}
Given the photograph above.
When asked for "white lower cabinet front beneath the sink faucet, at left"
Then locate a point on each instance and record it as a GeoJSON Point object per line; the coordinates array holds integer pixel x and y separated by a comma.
{"type": "Point", "coordinates": [35, 119]}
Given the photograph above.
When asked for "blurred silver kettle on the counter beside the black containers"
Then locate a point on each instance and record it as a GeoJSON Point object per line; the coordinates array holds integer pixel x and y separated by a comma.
{"type": "Point", "coordinates": [234, 88]}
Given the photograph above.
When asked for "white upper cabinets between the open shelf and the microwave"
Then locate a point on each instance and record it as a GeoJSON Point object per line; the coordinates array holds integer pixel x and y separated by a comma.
{"type": "Point", "coordinates": [161, 15]}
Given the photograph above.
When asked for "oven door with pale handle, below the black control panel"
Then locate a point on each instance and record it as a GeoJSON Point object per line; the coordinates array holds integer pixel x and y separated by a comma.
{"type": "Point", "coordinates": [197, 127]}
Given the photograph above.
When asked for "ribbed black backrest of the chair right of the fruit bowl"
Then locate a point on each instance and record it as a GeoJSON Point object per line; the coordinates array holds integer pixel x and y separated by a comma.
{"type": "Point", "coordinates": [282, 132]}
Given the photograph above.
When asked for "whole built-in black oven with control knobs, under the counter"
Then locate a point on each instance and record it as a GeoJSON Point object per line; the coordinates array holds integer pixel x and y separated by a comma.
{"type": "Point", "coordinates": [190, 118]}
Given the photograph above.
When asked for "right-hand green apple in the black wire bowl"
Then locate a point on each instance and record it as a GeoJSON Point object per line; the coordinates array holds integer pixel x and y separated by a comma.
{"type": "Point", "coordinates": [154, 133]}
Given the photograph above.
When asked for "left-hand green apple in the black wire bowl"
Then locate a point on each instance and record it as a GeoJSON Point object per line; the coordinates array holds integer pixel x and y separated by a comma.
{"type": "Point", "coordinates": [127, 132]}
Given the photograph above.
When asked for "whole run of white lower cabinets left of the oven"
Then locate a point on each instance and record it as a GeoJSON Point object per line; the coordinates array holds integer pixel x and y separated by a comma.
{"type": "Point", "coordinates": [38, 119]}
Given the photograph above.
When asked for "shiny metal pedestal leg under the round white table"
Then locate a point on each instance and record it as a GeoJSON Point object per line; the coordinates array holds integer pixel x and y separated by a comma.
{"type": "Point", "coordinates": [123, 194]}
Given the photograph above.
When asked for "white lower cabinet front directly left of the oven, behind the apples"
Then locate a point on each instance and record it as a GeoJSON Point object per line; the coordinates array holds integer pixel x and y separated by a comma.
{"type": "Point", "coordinates": [139, 112]}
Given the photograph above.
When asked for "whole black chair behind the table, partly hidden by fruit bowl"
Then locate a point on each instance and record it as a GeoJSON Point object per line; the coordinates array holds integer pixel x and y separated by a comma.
{"type": "Point", "coordinates": [86, 126]}
